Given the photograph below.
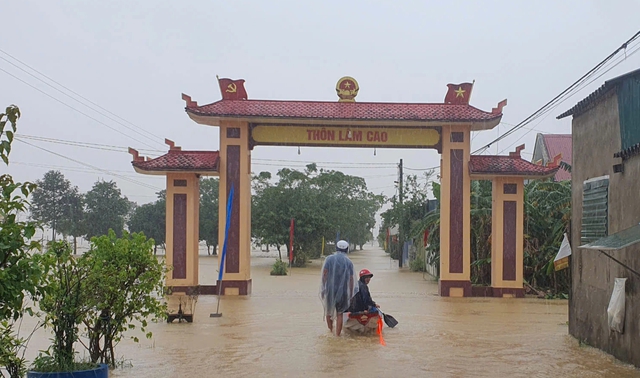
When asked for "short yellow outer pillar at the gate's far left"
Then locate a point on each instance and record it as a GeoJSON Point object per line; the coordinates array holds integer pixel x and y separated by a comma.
{"type": "Point", "coordinates": [182, 227]}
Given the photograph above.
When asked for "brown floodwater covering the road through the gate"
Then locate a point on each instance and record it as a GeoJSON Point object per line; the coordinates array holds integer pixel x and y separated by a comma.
{"type": "Point", "coordinates": [279, 331]}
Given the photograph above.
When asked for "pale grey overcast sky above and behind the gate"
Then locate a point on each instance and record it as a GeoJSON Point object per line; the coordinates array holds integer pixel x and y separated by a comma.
{"type": "Point", "coordinates": [135, 58]}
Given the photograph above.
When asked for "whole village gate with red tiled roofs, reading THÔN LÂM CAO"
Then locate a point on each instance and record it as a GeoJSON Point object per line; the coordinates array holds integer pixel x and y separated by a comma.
{"type": "Point", "coordinates": [446, 127]}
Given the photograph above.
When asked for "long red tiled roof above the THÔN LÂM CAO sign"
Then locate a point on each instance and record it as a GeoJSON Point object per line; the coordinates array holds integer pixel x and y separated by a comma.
{"type": "Point", "coordinates": [344, 110]}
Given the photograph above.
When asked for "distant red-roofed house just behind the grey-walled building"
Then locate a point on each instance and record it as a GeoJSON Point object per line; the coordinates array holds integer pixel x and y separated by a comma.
{"type": "Point", "coordinates": [549, 146]}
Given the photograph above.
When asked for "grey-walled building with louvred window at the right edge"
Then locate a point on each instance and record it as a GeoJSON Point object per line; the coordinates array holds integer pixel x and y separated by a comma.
{"type": "Point", "coordinates": [605, 184]}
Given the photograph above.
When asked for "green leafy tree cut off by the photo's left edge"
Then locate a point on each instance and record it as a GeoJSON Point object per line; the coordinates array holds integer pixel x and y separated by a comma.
{"type": "Point", "coordinates": [21, 270]}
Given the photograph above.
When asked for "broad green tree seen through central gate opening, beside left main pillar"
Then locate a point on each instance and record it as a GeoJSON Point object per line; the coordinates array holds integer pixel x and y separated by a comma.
{"type": "Point", "coordinates": [322, 202]}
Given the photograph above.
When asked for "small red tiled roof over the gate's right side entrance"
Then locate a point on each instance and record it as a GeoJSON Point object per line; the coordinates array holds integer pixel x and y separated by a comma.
{"type": "Point", "coordinates": [507, 166]}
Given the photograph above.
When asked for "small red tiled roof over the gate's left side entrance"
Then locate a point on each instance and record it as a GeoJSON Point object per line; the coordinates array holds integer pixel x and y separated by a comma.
{"type": "Point", "coordinates": [178, 160]}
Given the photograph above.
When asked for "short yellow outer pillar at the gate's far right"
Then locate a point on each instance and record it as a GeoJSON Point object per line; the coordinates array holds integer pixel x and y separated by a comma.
{"type": "Point", "coordinates": [507, 237]}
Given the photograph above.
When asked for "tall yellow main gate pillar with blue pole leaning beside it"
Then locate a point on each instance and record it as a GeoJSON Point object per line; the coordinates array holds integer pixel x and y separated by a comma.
{"type": "Point", "coordinates": [235, 169]}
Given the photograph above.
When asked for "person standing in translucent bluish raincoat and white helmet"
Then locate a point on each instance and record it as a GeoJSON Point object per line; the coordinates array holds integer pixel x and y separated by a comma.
{"type": "Point", "coordinates": [338, 286]}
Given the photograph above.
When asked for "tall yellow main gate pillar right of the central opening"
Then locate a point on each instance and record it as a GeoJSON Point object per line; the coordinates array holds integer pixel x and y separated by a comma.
{"type": "Point", "coordinates": [455, 212]}
